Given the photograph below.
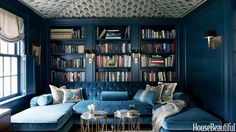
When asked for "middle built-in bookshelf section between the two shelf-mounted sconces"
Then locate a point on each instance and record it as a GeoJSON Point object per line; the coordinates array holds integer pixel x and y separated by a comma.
{"type": "Point", "coordinates": [113, 53]}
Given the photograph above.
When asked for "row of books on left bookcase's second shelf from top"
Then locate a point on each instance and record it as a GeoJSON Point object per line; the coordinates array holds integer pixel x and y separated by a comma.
{"type": "Point", "coordinates": [67, 48]}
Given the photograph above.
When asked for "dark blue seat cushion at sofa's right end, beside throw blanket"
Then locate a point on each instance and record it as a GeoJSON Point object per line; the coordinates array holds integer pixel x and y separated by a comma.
{"type": "Point", "coordinates": [185, 119]}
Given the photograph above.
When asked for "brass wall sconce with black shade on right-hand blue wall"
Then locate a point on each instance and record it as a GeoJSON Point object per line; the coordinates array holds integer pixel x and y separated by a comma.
{"type": "Point", "coordinates": [212, 39]}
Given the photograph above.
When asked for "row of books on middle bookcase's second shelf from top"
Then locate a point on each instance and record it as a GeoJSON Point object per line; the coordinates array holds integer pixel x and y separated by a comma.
{"type": "Point", "coordinates": [113, 48]}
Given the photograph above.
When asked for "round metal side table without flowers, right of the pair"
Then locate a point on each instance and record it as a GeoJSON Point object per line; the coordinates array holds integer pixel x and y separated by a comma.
{"type": "Point", "coordinates": [131, 118]}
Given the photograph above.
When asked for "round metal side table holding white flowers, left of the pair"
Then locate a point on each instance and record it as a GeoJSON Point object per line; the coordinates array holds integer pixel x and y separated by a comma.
{"type": "Point", "coordinates": [99, 118]}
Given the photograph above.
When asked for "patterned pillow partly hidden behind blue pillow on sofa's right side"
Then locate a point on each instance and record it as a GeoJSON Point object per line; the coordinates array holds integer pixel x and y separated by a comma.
{"type": "Point", "coordinates": [158, 89]}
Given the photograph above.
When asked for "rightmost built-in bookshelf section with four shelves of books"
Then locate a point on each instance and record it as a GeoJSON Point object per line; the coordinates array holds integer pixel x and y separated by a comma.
{"type": "Point", "coordinates": [158, 48]}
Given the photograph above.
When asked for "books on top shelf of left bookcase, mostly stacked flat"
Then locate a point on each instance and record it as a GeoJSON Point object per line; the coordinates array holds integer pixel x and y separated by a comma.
{"type": "Point", "coordinates": [68, 33]}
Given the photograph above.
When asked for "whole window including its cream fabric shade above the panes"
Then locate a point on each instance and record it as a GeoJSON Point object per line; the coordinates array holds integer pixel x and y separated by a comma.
{"type": "Point", "coordinates": [12, 66]}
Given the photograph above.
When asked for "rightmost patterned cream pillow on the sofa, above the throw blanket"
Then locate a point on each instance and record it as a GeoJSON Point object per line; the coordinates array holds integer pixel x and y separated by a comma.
{"type": "Point", "coordinates": [167, 92]}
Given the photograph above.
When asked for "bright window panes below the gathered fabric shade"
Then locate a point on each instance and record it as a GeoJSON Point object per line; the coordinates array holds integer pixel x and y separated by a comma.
{"type": "Point", "coordinates": [10, 57]}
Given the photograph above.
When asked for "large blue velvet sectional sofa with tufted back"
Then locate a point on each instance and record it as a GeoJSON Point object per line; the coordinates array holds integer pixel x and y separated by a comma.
{"type": "Point", "coordinates": [61, 117]}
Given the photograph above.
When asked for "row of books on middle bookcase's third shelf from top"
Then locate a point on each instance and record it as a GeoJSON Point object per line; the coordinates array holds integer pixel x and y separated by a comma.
{"type": "Point", "coordinates": [114, 61]}
